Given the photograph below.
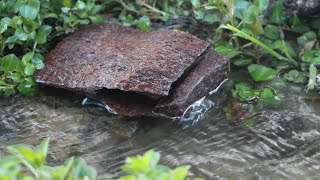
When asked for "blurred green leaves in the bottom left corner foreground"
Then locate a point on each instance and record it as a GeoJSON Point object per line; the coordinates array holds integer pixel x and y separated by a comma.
{"type": "Point", "coordinates": [28, 163]}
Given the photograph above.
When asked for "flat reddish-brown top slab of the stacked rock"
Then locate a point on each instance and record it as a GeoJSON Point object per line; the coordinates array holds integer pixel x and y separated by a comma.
{"type": "Point", "coordinates": [113, 57]}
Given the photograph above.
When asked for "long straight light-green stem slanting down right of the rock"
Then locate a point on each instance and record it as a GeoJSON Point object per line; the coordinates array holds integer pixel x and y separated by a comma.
{"type": "Point", "coordinates": [259, 43]}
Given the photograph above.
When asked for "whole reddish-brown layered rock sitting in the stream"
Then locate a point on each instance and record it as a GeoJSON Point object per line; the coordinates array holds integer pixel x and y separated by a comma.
{"type": "Point", "coordinates": [135, 73]}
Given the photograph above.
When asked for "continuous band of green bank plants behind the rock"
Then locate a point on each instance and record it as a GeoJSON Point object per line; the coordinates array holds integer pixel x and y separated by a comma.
{"type": "Point", "coordinates": [255, 34]}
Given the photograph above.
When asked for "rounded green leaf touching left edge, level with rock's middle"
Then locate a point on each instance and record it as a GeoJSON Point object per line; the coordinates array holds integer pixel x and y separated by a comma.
{"type": "Point", "coordinates": [10, 63]}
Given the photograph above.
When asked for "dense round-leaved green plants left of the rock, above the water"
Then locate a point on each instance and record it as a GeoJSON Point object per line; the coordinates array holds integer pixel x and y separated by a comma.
{"type": "Point", "coordinates": [26, 29]}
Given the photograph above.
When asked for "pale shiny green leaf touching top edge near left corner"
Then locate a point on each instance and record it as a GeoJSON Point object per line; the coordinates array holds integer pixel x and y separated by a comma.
{"type": "Point", "coordinates": [30, 9]}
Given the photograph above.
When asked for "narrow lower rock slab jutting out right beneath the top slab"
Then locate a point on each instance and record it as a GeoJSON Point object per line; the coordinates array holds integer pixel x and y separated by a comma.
{"type": "Point", "coordinates": [199, 82]}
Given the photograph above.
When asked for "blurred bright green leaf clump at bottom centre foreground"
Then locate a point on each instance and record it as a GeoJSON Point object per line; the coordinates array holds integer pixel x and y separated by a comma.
{"type": "Point", "coordinates": [147, 167]}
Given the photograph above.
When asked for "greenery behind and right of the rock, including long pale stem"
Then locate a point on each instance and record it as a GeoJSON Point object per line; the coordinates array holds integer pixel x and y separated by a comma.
{"type": "Point", "coordinates": [262, 27]}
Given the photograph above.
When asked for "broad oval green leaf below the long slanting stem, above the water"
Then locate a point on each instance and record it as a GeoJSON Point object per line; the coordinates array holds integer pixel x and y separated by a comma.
{"type": "Point", "coordinates": [261, 73]}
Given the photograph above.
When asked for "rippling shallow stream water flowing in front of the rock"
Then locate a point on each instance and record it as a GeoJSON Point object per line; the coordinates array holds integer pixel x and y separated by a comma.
{"type": "Point", "coordinates": [281, 143]}
